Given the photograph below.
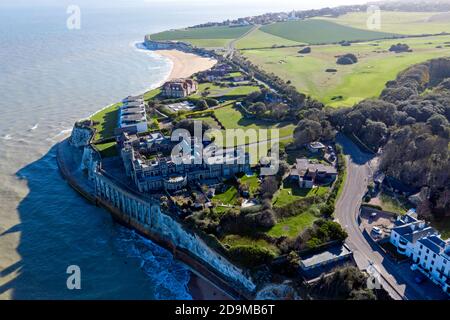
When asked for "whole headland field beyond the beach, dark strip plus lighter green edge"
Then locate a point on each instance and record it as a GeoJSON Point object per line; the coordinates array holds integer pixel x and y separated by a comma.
{"type": "Point", "coordinates": [203, 37]}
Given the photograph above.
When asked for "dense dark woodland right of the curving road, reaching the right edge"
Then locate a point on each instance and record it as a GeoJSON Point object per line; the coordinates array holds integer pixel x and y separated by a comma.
{"type": "Point", "coordinates": [410, 123]}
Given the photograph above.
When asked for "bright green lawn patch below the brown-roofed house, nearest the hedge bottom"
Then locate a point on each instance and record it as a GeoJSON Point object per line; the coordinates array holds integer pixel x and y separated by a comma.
{"type": "Point", "coordinates": [293, 226]}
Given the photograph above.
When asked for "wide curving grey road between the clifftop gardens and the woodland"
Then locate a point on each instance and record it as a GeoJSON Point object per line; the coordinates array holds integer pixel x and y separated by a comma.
{"type": "Point", "coordinates": [393, 278]}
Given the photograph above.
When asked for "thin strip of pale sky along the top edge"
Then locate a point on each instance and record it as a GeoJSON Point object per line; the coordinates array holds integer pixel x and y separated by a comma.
{"type": "Point", "coordinates": [278, 5]}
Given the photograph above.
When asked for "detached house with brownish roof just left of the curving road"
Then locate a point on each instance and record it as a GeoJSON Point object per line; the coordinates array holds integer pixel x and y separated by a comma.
{"type": "Point", "coordinates": [309, 174]}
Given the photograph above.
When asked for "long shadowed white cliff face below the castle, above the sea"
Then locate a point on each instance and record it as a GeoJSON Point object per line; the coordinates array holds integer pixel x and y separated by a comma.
{"type": "Point", "coordinates": [150, 216]}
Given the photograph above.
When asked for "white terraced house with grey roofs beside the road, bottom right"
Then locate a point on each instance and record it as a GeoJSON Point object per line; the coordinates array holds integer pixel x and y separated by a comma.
{"type": "Point", "coordinates": [423, 245]}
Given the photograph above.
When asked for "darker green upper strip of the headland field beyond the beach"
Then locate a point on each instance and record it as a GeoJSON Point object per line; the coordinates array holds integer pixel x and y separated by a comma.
{"type": "Point", "coordinates": [202, 33]}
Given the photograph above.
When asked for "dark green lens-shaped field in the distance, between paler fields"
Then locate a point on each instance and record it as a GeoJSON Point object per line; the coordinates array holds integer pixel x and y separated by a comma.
{"type": "Point", "coordinates": [316, 31]}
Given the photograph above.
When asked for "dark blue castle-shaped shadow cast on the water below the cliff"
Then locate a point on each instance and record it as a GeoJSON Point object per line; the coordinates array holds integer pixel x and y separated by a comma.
{"type": "Point", "coordinates": [59, 228]}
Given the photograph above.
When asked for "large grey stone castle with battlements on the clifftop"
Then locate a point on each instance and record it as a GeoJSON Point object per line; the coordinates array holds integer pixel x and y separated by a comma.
{"type": "Point", "coordinates": [153, 165]}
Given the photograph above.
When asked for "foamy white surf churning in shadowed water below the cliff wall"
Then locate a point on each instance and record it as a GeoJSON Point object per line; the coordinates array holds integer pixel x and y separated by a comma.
{"type": "Point", "coordinates": [170, 276]}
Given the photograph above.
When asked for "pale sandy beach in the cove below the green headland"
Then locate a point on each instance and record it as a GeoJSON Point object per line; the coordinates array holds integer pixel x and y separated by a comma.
{"type": "Point", "coordinates": [186, 64]}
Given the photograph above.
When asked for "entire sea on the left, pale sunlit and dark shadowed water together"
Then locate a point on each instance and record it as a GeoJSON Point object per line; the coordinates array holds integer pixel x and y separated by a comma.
{"type": "Point", "coordinates": [51, 75]}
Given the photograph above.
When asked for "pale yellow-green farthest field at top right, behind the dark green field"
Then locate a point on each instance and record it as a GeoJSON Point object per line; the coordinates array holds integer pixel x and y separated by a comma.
{"type": "Point", "coordinates": [408, 23]}
